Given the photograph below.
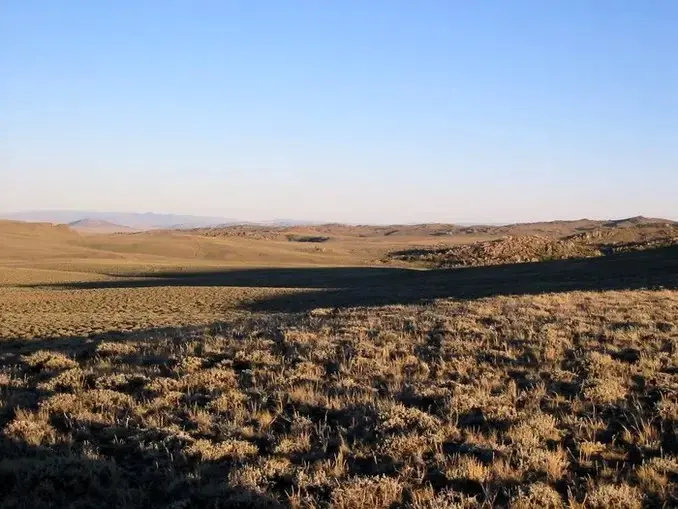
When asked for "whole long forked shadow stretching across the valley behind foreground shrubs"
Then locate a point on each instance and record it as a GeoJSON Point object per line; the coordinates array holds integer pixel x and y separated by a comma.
{"type": "Point", "coordinates": [363, 286]}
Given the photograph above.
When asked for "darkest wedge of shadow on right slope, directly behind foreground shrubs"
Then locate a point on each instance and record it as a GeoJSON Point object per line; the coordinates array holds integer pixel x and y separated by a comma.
{"type": "Point", "coordinates": [650, 269]}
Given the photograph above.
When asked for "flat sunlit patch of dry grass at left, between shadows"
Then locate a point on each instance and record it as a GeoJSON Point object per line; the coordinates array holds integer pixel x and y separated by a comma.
{"type": "Point", "coordinates": [41, 313]}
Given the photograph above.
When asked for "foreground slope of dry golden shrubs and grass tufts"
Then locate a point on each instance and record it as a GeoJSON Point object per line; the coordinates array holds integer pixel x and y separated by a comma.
{"type": "Point", "coordinates": [563, 400]}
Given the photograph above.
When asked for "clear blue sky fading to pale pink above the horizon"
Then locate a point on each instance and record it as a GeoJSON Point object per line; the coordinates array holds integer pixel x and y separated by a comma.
{"type": "Point", "coordinates": [369, 111]}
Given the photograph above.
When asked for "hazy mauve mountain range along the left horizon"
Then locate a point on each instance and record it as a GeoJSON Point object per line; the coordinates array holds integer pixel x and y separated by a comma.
{"type": "Point", "coordinates": [137, 221]}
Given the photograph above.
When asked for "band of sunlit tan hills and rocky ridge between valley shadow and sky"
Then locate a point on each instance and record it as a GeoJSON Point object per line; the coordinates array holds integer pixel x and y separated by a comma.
{"type": "Point", "coordinates": [434, 245]}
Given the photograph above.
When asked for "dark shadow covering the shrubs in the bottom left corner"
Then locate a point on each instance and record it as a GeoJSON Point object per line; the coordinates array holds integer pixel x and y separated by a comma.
{"type": "Point", "coordinates": [39, 476]}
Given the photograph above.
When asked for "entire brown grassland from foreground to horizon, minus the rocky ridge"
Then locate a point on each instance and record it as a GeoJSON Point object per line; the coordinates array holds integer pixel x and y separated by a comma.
{"type": "Point", "coordinates": [251, 367]}
